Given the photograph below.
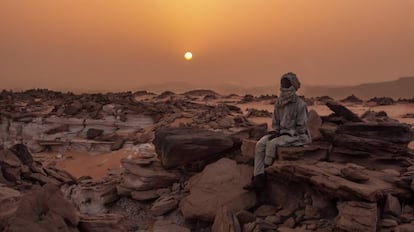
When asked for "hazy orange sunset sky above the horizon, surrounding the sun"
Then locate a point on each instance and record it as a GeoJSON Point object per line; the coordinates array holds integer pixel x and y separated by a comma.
{"type": "Point", "coordinates": [124, 44]}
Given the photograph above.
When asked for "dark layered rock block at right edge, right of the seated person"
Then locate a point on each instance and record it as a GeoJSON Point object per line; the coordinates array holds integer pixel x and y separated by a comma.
{"type": "Point", "coordinates": [374, 145]}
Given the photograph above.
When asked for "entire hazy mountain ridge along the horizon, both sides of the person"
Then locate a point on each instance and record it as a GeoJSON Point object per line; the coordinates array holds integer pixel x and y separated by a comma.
{"type": "Point", "coordinates": [400, 88]}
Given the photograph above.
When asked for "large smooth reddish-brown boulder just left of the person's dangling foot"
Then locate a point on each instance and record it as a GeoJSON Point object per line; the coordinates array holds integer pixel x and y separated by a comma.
{"type": "Point", "coordinates": [220, 183]}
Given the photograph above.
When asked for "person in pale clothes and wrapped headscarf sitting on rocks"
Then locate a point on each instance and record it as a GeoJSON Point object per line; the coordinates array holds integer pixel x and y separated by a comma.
{"type": "Point", "coordinates": [289, 126]}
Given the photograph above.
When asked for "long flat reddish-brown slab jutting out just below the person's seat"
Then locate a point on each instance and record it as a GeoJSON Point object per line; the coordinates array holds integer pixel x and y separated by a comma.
{"type": "Point", "coordinates": [327, 177]}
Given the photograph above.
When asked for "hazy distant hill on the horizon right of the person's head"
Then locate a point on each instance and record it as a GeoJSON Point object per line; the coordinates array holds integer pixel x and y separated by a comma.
{"type": "Point", "coordinates": [401, 88]}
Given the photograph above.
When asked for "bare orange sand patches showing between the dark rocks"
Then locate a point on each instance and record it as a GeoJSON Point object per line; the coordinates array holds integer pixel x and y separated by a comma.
{"type": "Point", "coordinates": [98, 165]}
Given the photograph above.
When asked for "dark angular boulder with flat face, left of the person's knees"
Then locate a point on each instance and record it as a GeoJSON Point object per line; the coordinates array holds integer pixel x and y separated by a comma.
{"type": "Point", "coordinates": [180, 146]}
